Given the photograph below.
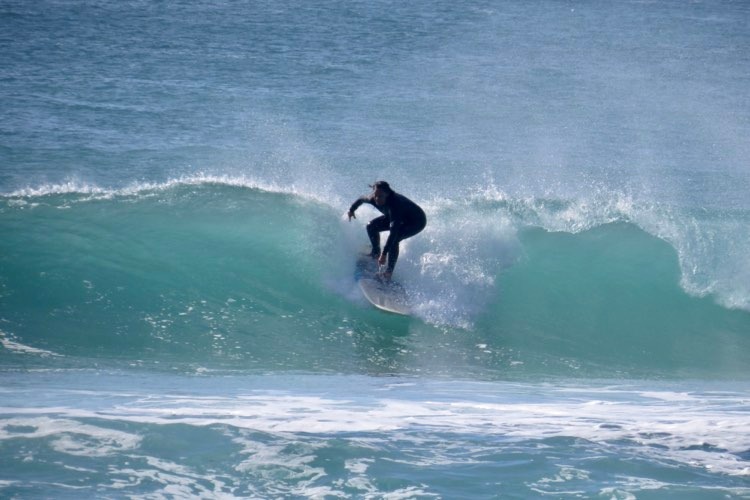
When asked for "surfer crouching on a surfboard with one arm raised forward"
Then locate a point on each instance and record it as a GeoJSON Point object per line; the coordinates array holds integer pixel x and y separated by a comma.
{"type": "Point", "coordinates": [401, 216]}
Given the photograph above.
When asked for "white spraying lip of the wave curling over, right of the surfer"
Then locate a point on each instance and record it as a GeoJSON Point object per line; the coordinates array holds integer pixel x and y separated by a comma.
{"type": "Point", "coordinates": [710, 244]}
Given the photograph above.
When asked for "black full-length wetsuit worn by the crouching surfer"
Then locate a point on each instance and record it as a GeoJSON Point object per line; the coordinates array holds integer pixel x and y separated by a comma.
{"type": "Point", "coordinates": [401, 216]}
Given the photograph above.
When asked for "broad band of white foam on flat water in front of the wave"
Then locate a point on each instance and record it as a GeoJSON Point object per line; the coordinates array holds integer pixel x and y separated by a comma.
{"type": "Point", "coordinates": [702, 432]}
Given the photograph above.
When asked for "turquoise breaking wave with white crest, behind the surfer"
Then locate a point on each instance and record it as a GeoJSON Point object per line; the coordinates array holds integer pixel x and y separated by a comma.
{"type": "Point", "coordinates": [217, 274]}
